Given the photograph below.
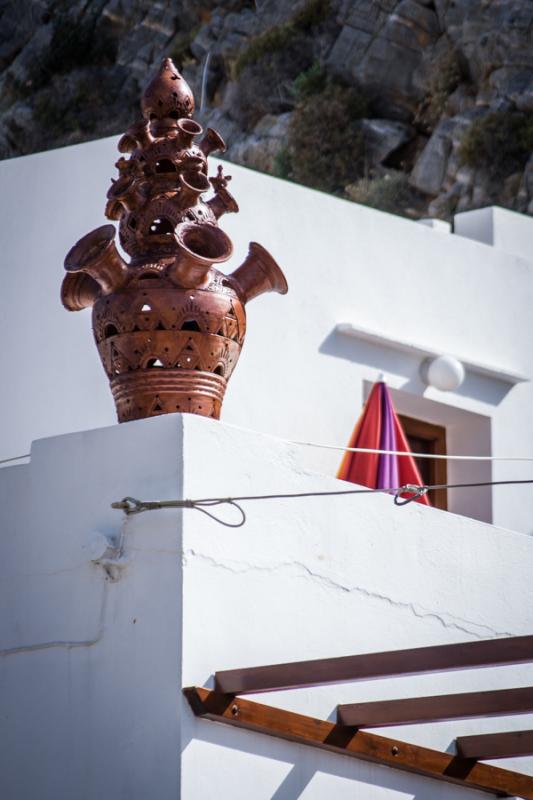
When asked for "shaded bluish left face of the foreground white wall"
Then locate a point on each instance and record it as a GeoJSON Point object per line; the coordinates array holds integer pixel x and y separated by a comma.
{"type": "Point", "coordinates": [90, 668]}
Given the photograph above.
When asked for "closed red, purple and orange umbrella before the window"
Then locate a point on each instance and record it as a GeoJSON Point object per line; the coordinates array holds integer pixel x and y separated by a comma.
{"type": "Point", "coordinates": [379, 428]}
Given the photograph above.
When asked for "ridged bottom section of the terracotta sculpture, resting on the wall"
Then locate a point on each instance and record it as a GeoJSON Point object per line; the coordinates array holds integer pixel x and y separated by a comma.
{"type": "Point", "coordinates": [150, 392]}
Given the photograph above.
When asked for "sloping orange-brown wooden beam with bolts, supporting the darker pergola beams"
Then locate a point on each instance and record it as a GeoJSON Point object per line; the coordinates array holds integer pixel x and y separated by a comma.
{"type": "Point", "coordinates": [357, 744]}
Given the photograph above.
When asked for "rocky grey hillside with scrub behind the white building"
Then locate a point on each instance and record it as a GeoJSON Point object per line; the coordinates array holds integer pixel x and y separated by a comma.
{"type": "Point", "coordinates": [413, 106]}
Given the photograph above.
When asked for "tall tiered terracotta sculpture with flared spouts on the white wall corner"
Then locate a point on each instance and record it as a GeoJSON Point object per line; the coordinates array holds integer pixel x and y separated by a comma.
{"type": "Point", "coordinates": [168, 325]}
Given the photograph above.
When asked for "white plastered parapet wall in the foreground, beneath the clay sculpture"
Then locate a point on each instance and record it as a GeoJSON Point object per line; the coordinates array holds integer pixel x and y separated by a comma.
{"type": "Point", "coordinates": [97, 645]}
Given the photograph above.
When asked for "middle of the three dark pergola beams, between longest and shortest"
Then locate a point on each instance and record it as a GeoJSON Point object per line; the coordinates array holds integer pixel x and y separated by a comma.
{"type": "Point", "coordinates": [437, 708]}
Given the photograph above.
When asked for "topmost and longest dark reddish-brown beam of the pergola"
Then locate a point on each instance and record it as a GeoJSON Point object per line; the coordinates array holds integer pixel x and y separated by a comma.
{"type": "Point", "coordinates": [488, 653]}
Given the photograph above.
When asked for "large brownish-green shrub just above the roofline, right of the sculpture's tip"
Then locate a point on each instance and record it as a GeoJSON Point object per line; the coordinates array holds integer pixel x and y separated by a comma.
{"type": "Point", "coordinates": [325, 139]}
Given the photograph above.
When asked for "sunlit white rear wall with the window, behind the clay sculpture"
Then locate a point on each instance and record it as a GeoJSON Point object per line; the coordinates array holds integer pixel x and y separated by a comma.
{"type": "Point", "coordinates": [297, 379]}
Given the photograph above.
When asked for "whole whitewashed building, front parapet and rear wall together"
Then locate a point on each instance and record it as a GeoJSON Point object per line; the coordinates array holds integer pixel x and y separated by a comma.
{"type": "Point", "coordinates": [94, 658]}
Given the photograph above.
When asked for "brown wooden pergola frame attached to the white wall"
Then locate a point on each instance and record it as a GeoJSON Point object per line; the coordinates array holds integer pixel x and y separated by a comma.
{"type": "Point", "coordinates": [347, 735]}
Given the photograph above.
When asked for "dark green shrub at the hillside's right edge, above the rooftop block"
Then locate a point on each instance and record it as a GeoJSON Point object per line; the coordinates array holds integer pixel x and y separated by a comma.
{"type": "Point", "coordinates": [500, 141]}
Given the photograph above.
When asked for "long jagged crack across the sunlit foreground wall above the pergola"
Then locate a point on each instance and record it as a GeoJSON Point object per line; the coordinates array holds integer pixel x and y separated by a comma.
{"type": "Point", "coordinates": [449, 621]}
